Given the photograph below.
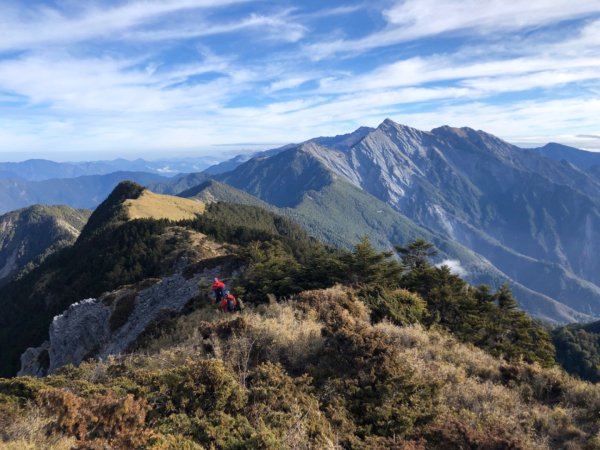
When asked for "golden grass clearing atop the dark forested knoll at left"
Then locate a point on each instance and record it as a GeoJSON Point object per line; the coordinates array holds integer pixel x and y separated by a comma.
{"type": "Point", "coordinates": [156, 206]}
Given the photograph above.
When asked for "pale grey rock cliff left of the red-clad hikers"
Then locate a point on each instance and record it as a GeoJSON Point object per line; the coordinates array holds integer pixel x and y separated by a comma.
{"type": "Point", "coordinates": [110, 324]}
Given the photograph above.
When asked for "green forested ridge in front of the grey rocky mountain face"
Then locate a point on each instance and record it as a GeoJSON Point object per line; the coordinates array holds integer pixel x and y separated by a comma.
{"type": "Point", "coordinates": [341, 214]}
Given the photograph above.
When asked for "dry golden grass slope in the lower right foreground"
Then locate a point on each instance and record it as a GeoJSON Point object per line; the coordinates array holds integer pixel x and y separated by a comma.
{"type": "Point", "coordinates": [475, 389]}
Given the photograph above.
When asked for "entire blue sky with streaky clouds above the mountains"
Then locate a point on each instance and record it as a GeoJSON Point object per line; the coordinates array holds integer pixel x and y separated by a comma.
{"type": "Point", "coordinates": [83, 80]}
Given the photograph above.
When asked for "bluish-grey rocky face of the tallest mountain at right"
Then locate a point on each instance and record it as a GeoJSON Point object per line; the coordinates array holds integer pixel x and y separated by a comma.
{"type": "Point", "coordinates": [533, 218]}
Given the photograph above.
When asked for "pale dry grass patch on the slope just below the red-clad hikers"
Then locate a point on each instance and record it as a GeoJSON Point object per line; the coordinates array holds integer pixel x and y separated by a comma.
{"type": "Point", "coordinates": [275, 333]}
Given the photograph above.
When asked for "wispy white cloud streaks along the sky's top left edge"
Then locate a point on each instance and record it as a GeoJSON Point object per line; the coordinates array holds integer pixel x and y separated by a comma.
{"type": "Point", "coordinates": [44, 26]}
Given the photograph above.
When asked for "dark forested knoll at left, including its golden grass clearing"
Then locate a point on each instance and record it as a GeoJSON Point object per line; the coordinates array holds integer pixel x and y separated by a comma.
{"type": "Point", "coordinates": [115, 250]}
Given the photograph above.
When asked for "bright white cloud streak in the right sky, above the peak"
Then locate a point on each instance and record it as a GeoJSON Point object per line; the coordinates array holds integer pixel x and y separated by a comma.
{"type": "Point", "coordinates": [541, 65]}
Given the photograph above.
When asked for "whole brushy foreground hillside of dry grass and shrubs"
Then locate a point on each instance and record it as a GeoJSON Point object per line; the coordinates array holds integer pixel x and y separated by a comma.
{"type": "Point", "coordinates": [314, 372]}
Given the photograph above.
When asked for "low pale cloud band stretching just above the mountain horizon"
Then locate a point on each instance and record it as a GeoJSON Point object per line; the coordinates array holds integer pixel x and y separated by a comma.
{"type": "Point", "coordinates": [173, 130]}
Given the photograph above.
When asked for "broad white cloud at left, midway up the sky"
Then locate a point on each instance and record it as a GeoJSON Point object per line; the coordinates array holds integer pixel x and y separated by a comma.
{"type": "Point", "coordinates": [97, 84]}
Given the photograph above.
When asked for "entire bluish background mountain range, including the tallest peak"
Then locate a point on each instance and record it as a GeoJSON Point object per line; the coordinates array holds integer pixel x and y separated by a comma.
{"type": "Point", "coordinates": [497, 213]}
